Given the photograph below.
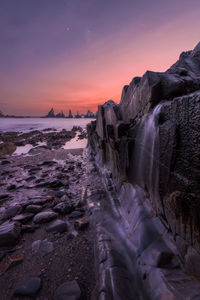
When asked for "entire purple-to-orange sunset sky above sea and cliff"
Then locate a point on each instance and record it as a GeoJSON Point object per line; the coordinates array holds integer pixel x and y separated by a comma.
{"type": "Point", "coordinates": [77, 54]}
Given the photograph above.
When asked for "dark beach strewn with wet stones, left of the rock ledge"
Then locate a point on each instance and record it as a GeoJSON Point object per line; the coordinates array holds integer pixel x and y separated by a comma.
{"type": "Point", "coordinates": [49, 181]}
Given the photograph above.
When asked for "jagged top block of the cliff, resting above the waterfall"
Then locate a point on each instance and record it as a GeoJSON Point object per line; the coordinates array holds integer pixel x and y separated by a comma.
{"type": "Point", "coordinates": [143, 94]}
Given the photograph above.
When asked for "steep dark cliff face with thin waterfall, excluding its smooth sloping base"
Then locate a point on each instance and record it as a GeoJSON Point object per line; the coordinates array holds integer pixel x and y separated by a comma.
{"type": "Point", "coordinates": [152, 139]}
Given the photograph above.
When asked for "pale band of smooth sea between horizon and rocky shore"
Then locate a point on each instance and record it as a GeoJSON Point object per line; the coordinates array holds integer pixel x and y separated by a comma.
{"type": "Point", "coordinates": [28, 124]}
